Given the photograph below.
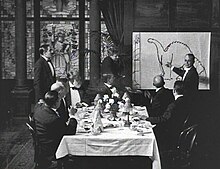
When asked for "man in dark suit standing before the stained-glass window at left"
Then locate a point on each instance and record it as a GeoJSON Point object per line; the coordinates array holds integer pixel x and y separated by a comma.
{"type": "Point", "coordinates": [44, 73]}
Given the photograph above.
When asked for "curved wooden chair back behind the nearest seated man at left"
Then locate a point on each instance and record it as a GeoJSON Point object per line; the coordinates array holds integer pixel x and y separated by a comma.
{"type": "Point", "coordinates": [35, 143]}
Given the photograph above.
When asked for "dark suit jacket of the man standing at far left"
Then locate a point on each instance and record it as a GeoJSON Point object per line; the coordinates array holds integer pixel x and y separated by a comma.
{"type": "Point", "coordinates": [43, 78]}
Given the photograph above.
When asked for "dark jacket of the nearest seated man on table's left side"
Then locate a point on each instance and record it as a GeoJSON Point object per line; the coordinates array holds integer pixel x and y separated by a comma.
{"type": "Point", "coordinates": [50, 129]}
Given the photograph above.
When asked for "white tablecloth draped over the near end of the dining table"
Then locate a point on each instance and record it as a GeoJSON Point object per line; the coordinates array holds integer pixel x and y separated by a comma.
{"type": "Point", "coordinates": [120, 141]}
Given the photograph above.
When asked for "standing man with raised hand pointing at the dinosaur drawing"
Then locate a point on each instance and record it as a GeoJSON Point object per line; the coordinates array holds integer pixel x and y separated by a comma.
{"type": "Point", "coordinates": [189, 75]}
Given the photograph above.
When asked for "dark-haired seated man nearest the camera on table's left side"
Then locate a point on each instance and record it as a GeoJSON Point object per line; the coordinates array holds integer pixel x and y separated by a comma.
{"type": "Point", "coordinates": [50, 128]}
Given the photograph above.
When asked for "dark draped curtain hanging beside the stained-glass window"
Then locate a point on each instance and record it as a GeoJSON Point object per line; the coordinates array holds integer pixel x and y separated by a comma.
{"type": "Point", "coordinates": [113, 13]}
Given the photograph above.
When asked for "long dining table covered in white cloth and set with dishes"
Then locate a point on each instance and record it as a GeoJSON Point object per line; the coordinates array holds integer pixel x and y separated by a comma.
{"type": "Point", "coordinates": [134, 141]}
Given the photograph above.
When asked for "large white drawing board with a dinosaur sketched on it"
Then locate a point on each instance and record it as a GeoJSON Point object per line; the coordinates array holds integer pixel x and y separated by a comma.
{"type": "Point", "coordinates": [151, 51]}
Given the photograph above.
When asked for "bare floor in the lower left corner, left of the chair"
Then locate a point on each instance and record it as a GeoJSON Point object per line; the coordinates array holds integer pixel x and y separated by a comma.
{"type": "Point", "coordinates": [16, 149]}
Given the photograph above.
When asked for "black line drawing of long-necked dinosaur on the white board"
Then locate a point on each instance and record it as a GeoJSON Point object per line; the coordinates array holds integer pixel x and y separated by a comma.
{"type": "Point", "coordinates": [161, 51]}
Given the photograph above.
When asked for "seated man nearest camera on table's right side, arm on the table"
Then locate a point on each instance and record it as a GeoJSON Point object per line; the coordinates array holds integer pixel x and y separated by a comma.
{"type": "Point", "coordinates": [173, 118]}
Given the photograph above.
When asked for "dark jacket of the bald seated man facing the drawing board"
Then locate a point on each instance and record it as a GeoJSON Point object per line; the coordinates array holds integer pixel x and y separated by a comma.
{"type": "Point", "coordinates": [162, 98]}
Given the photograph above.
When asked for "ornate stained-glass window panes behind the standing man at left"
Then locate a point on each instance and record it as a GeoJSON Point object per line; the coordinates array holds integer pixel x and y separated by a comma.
{"type": "Point", "coordinates": [59, 25]}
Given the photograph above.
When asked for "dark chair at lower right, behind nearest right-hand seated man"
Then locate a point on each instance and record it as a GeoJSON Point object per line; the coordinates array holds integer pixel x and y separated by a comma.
{"type": "Point", "coordinates": [181, 156]}
